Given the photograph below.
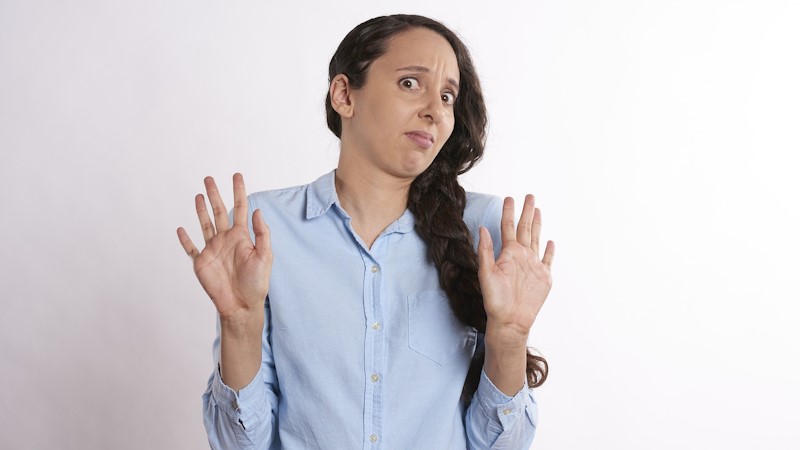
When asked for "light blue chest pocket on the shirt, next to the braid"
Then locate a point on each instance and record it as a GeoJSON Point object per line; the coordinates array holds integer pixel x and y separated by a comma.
{"type": "Point", "coordinates": [434, 331]}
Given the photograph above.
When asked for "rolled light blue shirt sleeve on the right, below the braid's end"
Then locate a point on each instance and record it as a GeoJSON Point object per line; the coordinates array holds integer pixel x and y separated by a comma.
{"type": "Point", "coordinates": [497, 421]}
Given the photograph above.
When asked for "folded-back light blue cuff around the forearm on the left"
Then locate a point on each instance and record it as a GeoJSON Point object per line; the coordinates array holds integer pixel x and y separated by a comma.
{"type": "Point", "coordinates": [240, 406]}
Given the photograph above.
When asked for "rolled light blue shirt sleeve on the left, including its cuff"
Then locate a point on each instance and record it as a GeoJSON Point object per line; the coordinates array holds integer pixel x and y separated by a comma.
{"type": "Point", "coordinates": [246, 419]}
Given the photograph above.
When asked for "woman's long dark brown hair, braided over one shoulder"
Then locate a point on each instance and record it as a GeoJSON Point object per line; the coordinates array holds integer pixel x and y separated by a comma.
{"type": "Point", "coordinates": [436, 198]}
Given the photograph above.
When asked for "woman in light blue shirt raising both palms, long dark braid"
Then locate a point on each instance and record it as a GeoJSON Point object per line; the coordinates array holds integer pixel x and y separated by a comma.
{"type": "Point", "coordinates": [382, 327]}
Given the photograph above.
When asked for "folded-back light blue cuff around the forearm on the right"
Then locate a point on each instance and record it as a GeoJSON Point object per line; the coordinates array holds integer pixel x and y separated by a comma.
{"type": "Point", "coordinates": [498, 407]}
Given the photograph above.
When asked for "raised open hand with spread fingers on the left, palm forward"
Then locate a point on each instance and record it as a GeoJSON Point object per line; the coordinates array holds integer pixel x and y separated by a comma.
{"type": "Point", "coordinates": [234, 272]}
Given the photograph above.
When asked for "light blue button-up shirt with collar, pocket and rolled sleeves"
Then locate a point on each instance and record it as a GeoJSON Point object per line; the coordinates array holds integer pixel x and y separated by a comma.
{"type": "Point", "coordinates": [360, 348]}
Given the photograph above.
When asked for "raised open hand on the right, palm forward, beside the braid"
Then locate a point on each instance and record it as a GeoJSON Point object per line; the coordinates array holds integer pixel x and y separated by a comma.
{"type": "Point", "coordinates": [515, 285]}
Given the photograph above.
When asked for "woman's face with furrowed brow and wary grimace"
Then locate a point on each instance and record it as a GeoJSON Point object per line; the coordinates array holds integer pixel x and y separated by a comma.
{"type": "Point", "coordinates": [403, 114]}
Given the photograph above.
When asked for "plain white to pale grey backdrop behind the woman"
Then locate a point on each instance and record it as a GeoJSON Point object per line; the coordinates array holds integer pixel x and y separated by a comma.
{"type": "Point", "coordinates": [660, 139]}
